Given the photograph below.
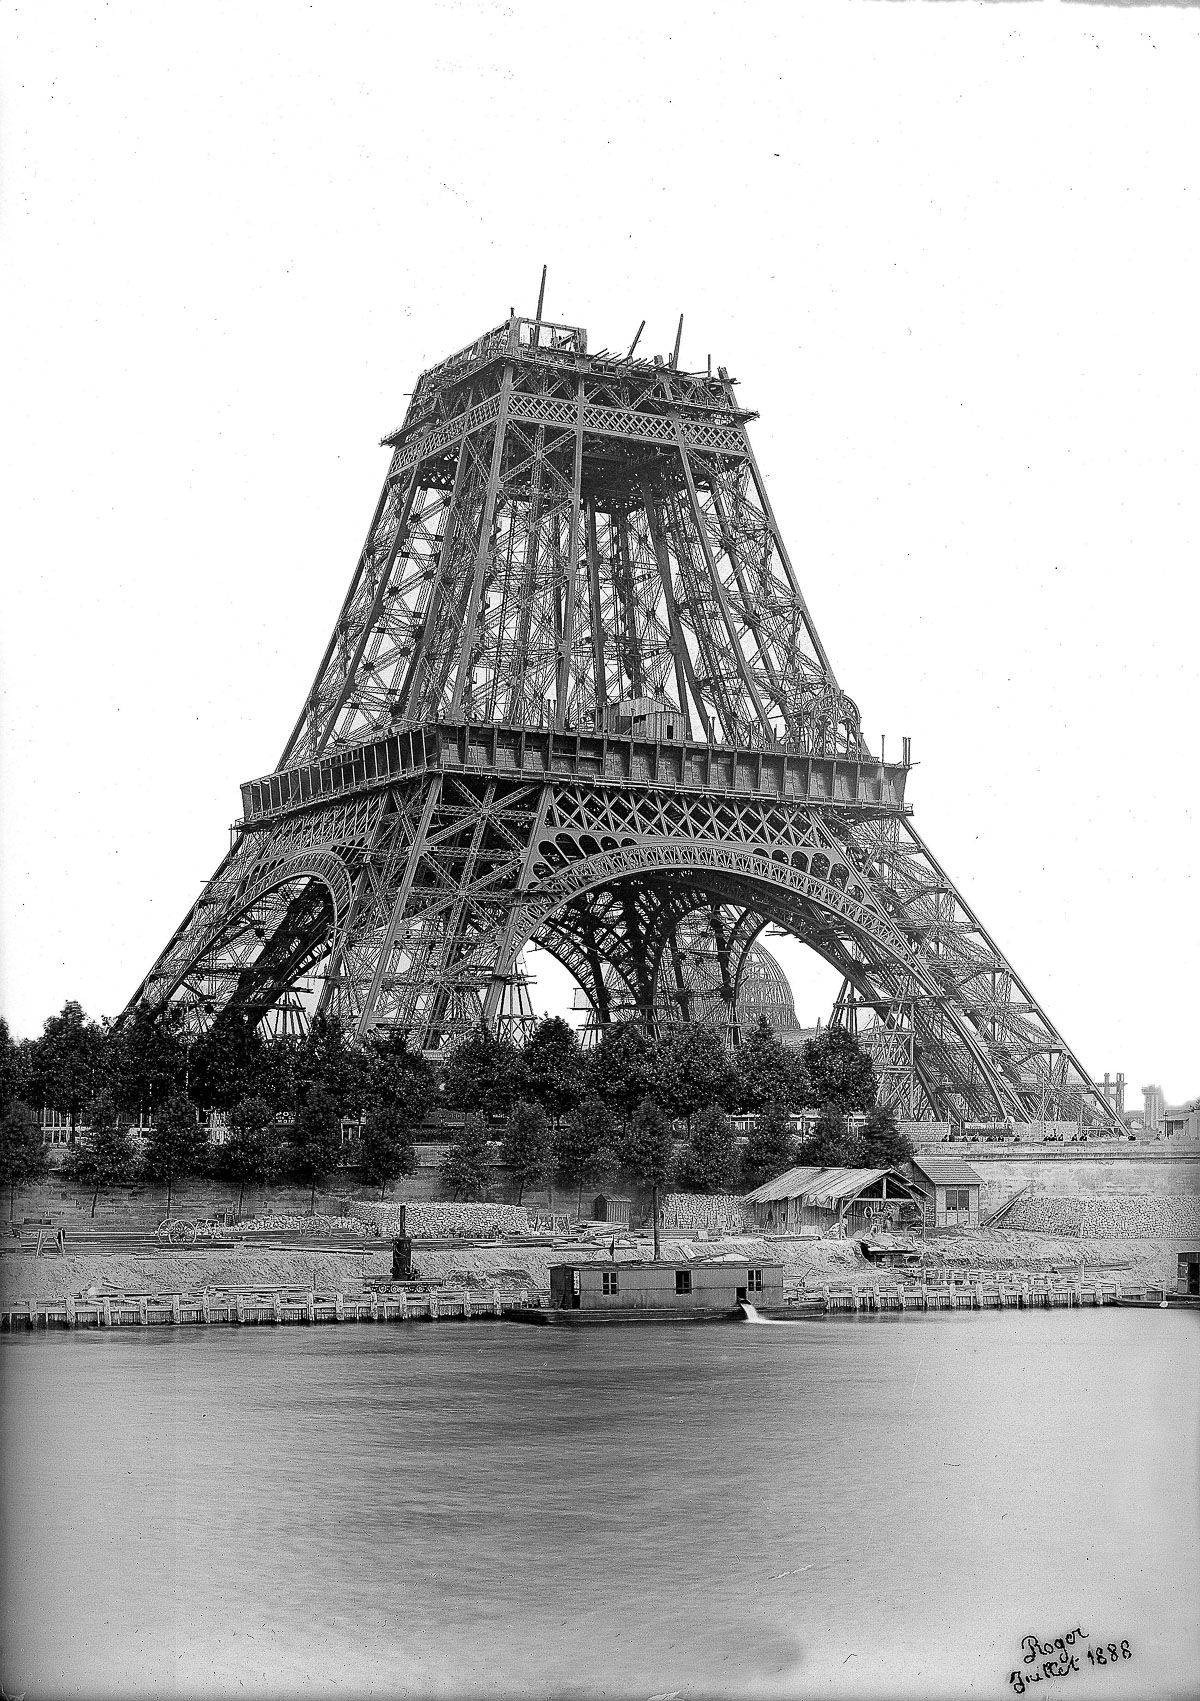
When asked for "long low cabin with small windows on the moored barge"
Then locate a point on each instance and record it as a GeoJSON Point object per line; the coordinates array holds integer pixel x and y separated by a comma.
{"type": "Point", "coordinates": [712, 1285]}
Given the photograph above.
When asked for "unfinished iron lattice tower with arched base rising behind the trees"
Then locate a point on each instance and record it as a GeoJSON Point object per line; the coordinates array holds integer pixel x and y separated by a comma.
{"type": "Point", "coordinates": [576, 698]}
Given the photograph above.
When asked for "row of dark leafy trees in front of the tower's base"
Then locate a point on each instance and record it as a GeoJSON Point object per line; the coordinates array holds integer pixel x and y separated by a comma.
{"type": "Point", "coordinates": [559, 1113]}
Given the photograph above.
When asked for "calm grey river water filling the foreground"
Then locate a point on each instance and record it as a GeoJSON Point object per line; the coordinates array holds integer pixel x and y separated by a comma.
{"type": "Point", "coordinates": [845, 1506]}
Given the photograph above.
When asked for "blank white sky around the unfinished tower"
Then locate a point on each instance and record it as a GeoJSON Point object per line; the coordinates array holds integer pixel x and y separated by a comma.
{"type": "Point", "coordinates": [952, 254]}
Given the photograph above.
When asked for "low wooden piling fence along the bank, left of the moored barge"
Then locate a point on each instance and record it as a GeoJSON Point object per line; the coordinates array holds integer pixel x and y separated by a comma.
{"type": "Point", "coordinates": [261, 1307]}
